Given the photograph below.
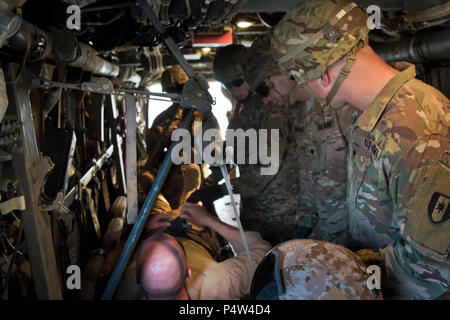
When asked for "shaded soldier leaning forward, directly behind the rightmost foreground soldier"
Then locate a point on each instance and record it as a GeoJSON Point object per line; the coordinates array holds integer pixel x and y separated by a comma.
{"type": "Point", "coordinates": [321, 147]}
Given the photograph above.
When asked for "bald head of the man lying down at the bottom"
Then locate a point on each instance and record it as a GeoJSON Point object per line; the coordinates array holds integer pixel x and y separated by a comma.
{"type": "Point", "coordinates": [161, 267]}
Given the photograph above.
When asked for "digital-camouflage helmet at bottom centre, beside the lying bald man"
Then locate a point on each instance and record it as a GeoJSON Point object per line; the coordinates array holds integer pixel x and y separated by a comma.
{"type": "Point", "coordinates": [305, 269]}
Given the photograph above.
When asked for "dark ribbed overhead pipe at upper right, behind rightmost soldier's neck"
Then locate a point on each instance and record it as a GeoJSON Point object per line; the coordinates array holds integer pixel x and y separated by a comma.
{"type": "Point", "coordinates": [421, 47]}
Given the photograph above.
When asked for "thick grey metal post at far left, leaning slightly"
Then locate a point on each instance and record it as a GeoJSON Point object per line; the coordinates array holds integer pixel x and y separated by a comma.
{"type": "Point", "coordinates": [35, 222]}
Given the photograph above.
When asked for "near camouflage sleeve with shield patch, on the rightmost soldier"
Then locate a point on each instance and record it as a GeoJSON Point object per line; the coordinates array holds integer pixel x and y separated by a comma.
{"type": "Point", "coordinates": [417, 266]}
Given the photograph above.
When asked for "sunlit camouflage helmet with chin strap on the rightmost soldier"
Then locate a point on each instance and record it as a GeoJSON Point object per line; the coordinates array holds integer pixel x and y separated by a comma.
{"type": "Point", "coordinates": [315, 34]}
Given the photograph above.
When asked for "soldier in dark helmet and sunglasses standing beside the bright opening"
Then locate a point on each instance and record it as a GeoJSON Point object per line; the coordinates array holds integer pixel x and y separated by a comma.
{"type": "Point", "coordinates": [269, 202]}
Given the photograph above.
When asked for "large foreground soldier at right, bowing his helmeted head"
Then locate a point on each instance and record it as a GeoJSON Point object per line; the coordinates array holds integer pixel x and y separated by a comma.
{"type": "Point", "coordinates": [399, 161]}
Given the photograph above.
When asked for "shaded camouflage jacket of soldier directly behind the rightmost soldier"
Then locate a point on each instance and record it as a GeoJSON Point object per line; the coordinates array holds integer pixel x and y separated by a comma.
{"type": "Point", "coordinates": [322, 135]}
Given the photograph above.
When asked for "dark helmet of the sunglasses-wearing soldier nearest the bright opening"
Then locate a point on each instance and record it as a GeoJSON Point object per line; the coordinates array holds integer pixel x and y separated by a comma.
{"type": "Point", "coordinates": [227, 65]}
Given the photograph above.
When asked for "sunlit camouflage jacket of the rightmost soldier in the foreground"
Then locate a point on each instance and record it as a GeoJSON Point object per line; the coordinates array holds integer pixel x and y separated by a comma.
{"type": "Point", "coordinates": [399, 186]}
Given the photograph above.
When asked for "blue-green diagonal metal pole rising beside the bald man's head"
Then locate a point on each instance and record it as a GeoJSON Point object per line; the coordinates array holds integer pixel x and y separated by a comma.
{"type": "Point", "coordinates": [143, 216]}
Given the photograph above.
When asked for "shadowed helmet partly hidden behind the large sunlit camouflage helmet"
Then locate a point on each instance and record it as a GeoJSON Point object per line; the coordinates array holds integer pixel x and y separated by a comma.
{"type": "Point", "coordinates": [259, 65]}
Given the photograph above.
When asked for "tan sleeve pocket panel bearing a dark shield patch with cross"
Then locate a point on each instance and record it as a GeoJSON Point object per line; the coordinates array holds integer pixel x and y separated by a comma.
{"type": "Point", "coordinates": [428, 220]}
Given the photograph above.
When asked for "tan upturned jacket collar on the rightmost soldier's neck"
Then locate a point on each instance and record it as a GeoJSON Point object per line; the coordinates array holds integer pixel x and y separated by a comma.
{"type": "Point", "coordinates": [369, 118]}
